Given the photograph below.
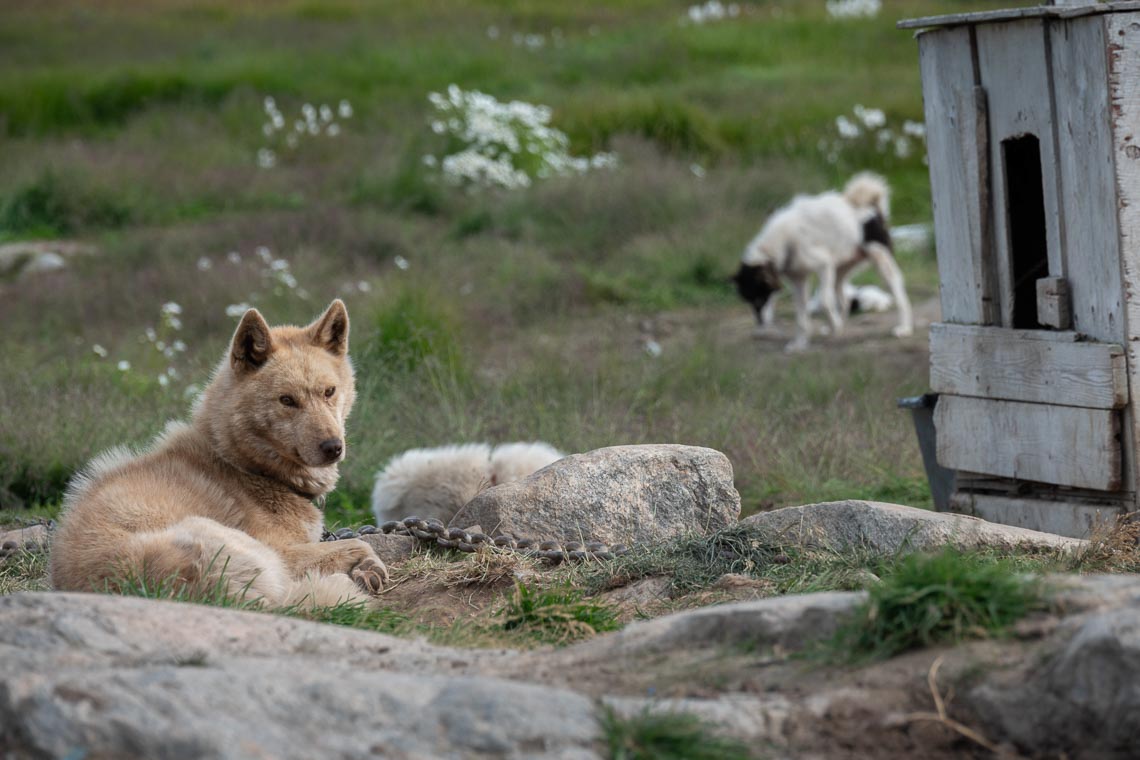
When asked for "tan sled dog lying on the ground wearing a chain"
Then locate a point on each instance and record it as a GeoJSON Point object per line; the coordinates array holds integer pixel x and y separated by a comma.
{"type": "Point", "coordinates": [230, 496]}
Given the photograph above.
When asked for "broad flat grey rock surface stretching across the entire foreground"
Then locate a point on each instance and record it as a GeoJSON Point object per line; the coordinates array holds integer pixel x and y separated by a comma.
{"type": "Point", "coordinates": [135, 679]}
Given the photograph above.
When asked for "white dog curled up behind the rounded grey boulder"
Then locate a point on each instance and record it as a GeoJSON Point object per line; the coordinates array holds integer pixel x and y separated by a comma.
{"type": "Point", "coordinates": [437, 483]}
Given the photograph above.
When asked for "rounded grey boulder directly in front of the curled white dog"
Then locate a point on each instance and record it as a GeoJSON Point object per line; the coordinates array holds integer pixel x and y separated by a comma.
{"type": "Point", "coordinates": [626, 494]}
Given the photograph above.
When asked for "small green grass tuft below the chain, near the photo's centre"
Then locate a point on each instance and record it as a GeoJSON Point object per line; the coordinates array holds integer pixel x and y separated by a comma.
{"type": "Point", "coordinates": [556, 616]}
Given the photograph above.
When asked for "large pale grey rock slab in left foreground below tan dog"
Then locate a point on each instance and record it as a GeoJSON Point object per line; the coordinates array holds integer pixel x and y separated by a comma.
{"type": "Point", "coordinates": [135, 679]}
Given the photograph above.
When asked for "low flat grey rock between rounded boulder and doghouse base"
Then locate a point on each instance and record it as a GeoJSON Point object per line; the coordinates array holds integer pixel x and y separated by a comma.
{"type": "Point", "coordinates": [891, 528]}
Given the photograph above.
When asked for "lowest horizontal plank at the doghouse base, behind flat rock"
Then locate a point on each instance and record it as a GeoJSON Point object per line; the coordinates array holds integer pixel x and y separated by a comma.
{"type": "Point", "coordinates": [1061, 518]}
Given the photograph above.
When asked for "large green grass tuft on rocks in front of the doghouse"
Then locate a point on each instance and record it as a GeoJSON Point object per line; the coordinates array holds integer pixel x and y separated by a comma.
{"type": "Point", "coordinates": [946, 598]}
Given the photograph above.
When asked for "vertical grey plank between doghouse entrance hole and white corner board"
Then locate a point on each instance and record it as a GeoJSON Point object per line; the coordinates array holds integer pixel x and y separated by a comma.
{"type": "Point", "coordinates": [1088, 199]}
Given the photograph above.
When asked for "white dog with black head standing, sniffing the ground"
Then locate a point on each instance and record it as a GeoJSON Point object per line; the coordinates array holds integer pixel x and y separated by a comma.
{"type": "Point", "coordinates": [828, 235]}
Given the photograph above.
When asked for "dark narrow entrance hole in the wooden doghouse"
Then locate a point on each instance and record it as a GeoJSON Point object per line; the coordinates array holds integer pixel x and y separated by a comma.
{"type": "Point", "coordinates": [1025, 211]}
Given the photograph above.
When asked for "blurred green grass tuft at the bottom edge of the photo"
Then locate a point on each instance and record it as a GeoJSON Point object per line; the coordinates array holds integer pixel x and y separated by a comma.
{"type": "Point", "coordinates": [659, 736]}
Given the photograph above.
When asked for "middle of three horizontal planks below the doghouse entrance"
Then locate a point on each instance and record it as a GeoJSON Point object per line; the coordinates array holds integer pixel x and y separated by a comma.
{"type": "Point", "coordinates": [1065, 446]}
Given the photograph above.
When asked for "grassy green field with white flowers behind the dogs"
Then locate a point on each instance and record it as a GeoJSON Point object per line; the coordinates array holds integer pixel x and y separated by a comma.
{"type": "Point", "coordinates": [477, 315]}
